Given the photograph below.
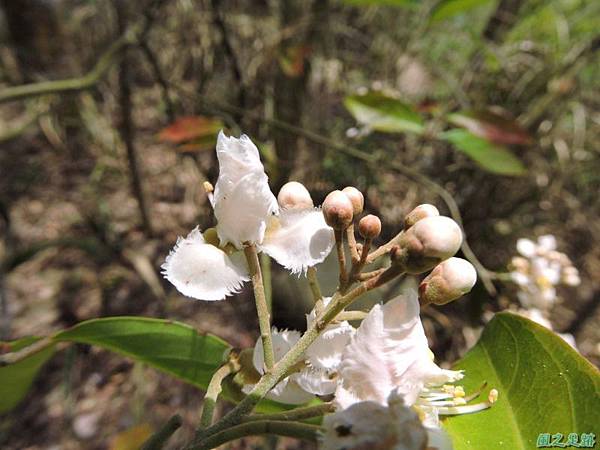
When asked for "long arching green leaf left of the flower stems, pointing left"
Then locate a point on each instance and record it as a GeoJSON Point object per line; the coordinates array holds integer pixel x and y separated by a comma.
{"type": "Point", "coordinates": [172, 347]}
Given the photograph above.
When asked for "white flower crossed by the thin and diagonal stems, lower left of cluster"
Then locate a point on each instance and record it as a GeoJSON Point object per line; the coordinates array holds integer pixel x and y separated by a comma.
{"type": "Point", "coordinates": [287, 390]}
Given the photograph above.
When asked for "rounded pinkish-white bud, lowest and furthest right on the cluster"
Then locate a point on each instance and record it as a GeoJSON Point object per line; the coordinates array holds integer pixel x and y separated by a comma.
{"type": "Point", "coordinates": [448, 281]}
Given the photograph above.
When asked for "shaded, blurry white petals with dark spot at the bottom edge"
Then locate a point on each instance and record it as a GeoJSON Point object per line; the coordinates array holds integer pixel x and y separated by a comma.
{"type": "Point", "coordinates": [370, 425]}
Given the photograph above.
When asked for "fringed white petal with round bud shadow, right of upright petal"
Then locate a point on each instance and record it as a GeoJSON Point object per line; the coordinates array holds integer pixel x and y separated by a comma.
{"type": "Point", "coordinates": [298, 239]}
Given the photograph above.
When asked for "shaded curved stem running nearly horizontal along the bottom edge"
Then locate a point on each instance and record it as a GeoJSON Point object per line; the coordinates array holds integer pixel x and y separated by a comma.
{"type": "Point", "coordinates": [281, 428]}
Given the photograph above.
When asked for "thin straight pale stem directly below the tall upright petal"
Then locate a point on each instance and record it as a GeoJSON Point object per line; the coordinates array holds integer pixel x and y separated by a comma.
{"type": "Point", "coordinates": [262, 309]}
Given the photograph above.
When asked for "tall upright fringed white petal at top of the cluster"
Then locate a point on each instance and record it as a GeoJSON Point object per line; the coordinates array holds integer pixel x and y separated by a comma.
{"type": "Point", "coordinates": [243, 201]}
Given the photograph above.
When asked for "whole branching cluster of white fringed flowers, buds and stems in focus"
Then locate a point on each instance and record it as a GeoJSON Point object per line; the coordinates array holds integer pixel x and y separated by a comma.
{"type": "Point", "coordinates": [382, 385]}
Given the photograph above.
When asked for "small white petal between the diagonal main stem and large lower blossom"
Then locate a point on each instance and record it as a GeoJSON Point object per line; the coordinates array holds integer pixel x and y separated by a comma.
{"type": "Point", "coordinates": [324, 356]}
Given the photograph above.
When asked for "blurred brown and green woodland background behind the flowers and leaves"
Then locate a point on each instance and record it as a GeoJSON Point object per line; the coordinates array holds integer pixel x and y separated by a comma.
{"type": "Point", "coordinates": [108, 117]}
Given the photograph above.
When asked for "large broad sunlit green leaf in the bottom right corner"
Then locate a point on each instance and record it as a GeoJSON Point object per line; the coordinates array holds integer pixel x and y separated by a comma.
{"type": "Point", "coordinates": [544, 387]}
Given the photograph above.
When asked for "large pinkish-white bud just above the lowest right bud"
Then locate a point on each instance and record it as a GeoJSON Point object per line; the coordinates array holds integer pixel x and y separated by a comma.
{"type": "Point", "coordinates": [427, 243]}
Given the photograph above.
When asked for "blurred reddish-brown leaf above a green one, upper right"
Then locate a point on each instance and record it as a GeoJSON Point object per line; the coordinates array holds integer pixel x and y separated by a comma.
{"type": "Point", "coordinates": [491, 126]}
